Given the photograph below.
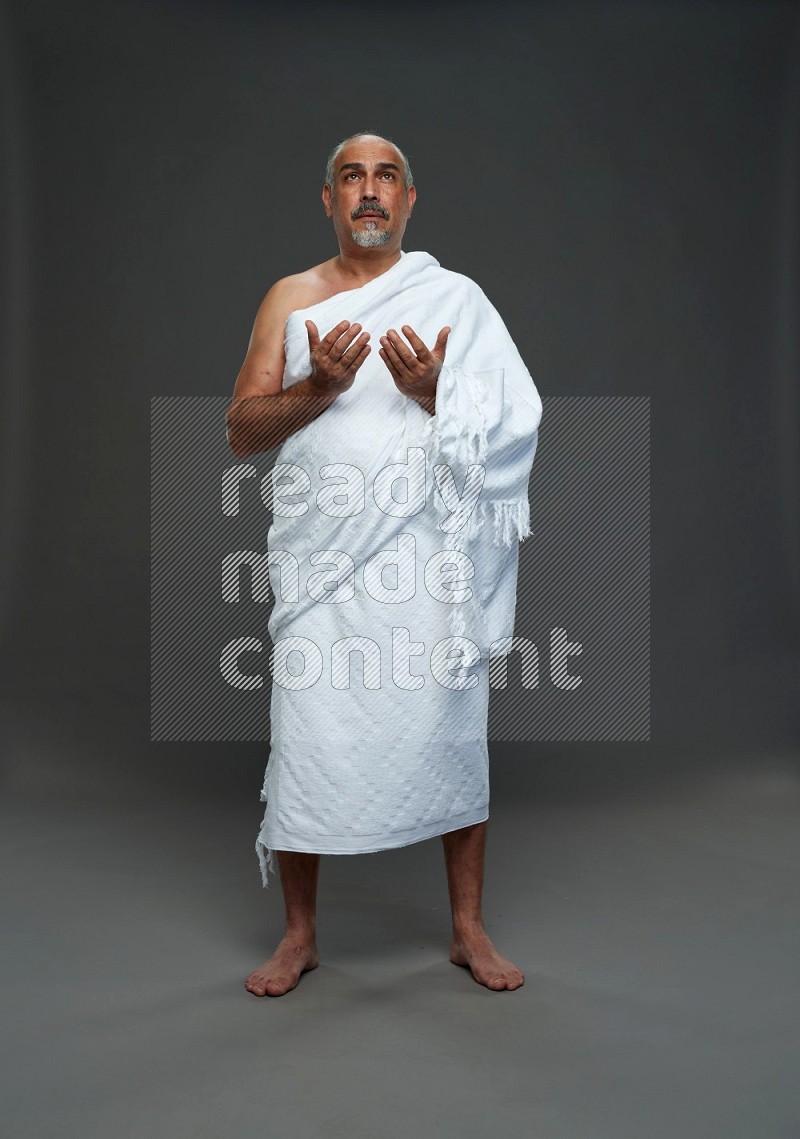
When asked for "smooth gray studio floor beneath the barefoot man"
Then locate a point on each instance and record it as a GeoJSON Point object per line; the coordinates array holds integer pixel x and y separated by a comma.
{"type": "Point", "coordinates": [651, 904]}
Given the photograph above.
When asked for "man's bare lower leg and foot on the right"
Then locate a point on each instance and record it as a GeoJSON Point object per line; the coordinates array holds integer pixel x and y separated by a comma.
{"type": "Point", "coordinates": [471, 945]}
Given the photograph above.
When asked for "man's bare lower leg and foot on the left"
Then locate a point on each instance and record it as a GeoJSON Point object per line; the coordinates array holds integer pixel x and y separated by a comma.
{"type": "Point", "coordinates": [297, 952]}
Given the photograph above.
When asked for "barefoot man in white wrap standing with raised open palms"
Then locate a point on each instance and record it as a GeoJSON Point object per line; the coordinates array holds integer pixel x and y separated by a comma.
{"type": "Point", "coordinates": [402, 757]}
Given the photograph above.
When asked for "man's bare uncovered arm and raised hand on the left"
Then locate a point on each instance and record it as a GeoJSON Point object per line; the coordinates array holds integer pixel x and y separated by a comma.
{"type": "Point", "coordinates": [263, 415]}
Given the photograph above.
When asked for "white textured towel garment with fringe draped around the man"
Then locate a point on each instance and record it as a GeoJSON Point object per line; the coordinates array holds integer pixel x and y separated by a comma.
{"type": "Point", "coordinates": [386, 747]}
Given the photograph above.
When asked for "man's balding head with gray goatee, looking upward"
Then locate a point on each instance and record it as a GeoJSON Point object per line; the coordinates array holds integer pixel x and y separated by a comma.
{"type": "Point", "coordinates": [369, 202]}
